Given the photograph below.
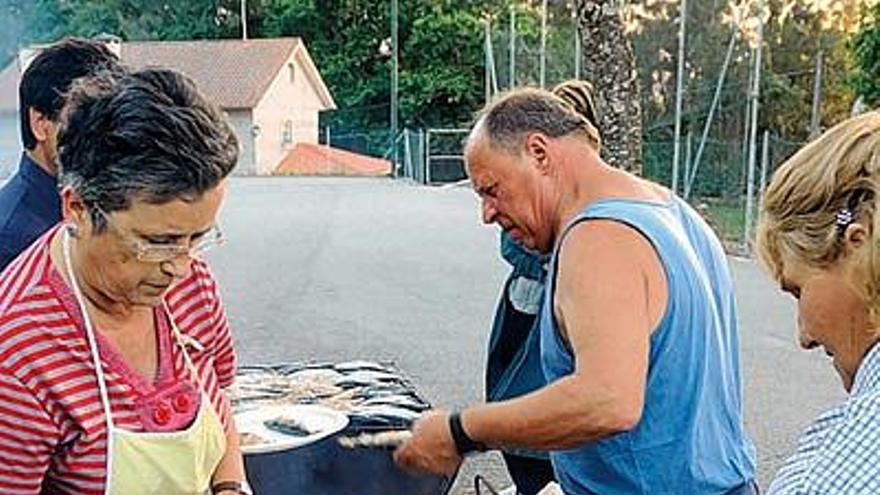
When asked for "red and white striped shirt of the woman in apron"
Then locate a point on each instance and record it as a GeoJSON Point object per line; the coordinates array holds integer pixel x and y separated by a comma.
{"type": "Point", "coordinates": [53, 434]}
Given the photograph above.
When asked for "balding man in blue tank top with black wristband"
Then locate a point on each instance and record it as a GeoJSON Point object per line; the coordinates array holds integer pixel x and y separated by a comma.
{"type": "Point", "coordinates": [639, 338]}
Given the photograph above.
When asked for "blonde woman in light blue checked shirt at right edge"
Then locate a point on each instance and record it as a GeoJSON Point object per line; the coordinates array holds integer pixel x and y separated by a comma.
{"type": "Point", "coordinates": [817, 237]}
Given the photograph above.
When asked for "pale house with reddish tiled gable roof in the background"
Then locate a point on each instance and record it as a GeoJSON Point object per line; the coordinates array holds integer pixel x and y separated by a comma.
{"type": "Point", "coordinates": [270, 88]}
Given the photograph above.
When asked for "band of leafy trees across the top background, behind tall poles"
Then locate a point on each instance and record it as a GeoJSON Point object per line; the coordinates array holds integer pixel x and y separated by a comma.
{"type": "Point", "coordinates": [442, 59]}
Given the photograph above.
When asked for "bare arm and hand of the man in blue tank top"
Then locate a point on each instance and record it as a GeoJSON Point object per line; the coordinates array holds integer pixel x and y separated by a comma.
{"type": "Point", "coordinates": [611, 293]}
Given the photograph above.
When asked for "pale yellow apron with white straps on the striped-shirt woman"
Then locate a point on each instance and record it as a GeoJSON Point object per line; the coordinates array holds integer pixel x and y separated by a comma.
{"type": "Point", "coordinates": [146, 463]}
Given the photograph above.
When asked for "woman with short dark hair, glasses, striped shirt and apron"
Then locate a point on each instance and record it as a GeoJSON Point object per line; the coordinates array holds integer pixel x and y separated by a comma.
{"type": "Point", "coordinates": [114, 345]}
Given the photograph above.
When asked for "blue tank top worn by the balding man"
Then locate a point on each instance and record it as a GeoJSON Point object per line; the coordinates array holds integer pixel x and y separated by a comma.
{"type": "Point", "coordinates": [690, 439]}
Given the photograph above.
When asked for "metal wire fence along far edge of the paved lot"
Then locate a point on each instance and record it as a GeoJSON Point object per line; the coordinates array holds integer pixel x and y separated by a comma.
{"type": "Point", "coordinates": [714, 180]}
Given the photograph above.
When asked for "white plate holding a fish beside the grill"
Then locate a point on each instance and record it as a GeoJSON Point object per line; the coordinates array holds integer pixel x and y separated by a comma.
{"type": "Point", "coordinates": [321, 420]}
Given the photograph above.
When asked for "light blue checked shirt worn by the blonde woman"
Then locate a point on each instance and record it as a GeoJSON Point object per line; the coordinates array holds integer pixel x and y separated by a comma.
{"type": "Point", "coordinates": [840, 452]}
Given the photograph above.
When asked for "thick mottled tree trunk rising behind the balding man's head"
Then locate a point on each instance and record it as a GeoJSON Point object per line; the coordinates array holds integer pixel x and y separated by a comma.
{"type": "Point", "coordinates": [610, 65]}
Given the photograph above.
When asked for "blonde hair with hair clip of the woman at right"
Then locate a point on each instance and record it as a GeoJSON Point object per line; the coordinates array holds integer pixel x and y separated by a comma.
{"type": "Point", "coordinates": [806, 206]}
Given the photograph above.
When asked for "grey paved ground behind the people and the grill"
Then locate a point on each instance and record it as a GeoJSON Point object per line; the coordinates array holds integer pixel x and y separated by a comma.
{"type": "Point", "coordinates": [332, 269]}
